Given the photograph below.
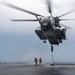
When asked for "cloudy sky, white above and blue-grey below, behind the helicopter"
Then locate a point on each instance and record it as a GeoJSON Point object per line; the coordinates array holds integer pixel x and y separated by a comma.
{"type": "Point", "coordinates": [18, 41]}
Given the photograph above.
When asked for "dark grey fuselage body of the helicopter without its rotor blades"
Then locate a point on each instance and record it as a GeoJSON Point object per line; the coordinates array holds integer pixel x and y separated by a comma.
{"type": "Point", "coordinates": [49, 31]}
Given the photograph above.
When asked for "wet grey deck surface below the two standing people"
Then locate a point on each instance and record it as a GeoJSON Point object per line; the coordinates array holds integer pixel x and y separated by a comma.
{"type": "Point", "coordinates": [22, 69]}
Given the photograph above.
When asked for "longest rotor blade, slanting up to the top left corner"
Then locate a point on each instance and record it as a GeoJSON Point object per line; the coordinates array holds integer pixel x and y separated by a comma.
{"type": "Point", "coordinates": [18, 8]}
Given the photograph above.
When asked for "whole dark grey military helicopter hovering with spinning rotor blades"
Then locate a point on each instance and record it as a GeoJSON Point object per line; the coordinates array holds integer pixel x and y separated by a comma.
{"type": "Point", "coordinates": [50, 29]}
